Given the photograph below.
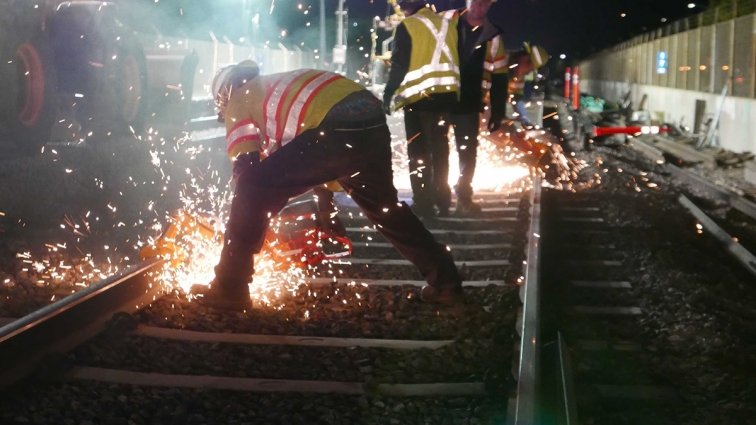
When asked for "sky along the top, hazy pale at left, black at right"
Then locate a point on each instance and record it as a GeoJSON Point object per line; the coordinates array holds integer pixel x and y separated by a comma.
{"type": "Point", "coordinates": [573, 27]}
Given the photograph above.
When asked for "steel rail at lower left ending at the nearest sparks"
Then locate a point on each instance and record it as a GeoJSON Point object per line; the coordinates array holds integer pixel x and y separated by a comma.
{"type": "Point", "coordinates": [65, 324]}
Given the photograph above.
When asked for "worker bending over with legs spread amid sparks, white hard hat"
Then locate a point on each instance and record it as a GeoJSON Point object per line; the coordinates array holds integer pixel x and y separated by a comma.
{"type": "Point", "coordinates": [287, 133]}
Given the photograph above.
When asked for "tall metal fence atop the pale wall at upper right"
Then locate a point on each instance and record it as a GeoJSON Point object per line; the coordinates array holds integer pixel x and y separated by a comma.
{"type": "Point", "coordinates": [704, 53]}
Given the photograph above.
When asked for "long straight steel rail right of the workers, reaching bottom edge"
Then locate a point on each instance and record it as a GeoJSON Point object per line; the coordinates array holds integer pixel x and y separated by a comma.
{"type": "Point", "coordinates": [528, 370]}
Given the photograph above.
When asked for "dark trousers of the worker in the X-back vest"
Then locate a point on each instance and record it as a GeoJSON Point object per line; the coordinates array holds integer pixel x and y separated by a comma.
{"type": "Point", "coordinates": [428, 151]}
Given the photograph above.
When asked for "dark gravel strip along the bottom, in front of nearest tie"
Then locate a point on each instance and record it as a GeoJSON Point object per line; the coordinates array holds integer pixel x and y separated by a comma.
{"type": "Point", "coordinates": [84, 403]}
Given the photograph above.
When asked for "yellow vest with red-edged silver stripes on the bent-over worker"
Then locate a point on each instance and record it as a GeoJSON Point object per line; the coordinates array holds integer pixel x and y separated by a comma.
{"type": "Point", "coordinates": [271, 110]}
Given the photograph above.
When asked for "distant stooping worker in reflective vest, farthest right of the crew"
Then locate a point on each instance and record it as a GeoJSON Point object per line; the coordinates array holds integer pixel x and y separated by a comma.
{"type": "Point", "coordinates": [524, 64]}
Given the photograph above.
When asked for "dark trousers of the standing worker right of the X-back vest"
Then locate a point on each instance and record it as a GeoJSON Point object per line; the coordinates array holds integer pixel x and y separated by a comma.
{"type": "Point", "coordinates": [466, 135]}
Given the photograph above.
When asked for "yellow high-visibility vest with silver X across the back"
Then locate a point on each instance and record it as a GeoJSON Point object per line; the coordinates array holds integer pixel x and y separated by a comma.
{"type": "Point", "coordinates": [434, 63]}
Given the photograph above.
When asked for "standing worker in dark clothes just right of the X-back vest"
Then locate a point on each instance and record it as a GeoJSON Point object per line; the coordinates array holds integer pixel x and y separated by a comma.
{"type": "Point", "coordinates": [483, 68]}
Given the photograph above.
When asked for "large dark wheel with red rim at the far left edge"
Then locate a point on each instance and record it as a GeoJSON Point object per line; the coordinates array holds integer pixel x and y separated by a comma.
{"type": "Point", "coordinates": [36, 100]}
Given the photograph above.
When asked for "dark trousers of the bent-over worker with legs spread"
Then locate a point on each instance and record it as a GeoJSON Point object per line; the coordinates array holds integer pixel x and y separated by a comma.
{"type": "Point", "coordinates": [358, 156]}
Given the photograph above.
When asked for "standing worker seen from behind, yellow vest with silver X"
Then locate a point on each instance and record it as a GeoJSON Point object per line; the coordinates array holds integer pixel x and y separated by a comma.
{"type": "Point", "coordinates": [424, 76]}
